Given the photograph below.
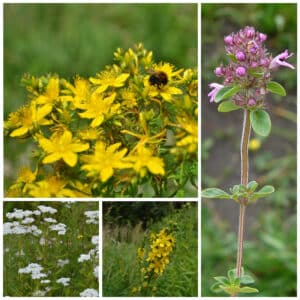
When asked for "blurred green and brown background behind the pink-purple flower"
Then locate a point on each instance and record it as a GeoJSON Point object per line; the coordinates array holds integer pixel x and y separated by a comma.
{"type": "Point", "coordinates": [270, 247]}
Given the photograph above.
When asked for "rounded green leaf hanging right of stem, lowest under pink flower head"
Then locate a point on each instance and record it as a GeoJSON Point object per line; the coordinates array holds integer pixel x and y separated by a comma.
{"type": "Point", "coordinates": [261, 122]}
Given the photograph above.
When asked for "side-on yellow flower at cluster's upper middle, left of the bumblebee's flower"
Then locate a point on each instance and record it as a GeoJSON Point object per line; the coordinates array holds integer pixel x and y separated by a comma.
{"type": "Point", "coordinates": [108, 78]}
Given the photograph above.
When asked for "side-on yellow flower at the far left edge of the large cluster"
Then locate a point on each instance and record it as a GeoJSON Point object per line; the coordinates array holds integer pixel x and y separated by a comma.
{"type": "Point", "coordinates": [27, 118]}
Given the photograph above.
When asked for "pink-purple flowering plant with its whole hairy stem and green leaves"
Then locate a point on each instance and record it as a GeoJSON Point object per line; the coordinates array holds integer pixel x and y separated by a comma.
{"type": "Point", "coordinates": [246, 83]}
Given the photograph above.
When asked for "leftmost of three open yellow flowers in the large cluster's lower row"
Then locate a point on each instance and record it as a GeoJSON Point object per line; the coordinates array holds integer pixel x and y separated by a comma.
{"type": "Point", "coordinates": [62, 146]}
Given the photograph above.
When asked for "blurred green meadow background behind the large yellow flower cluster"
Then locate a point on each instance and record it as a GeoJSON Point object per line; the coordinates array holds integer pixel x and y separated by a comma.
{"type": "Point", "coordinates": [70, 39]}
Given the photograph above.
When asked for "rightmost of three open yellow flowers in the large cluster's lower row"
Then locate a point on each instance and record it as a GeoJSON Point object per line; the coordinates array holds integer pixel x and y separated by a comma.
{"type": "Point", "coordinates": [143, 159]}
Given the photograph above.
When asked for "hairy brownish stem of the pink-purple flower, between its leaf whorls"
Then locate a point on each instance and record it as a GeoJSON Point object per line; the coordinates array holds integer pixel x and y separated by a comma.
{"type": "Point", "coordinates": [244, 181]}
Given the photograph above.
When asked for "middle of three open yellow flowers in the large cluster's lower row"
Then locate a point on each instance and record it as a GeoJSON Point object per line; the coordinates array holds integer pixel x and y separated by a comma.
{"type": "Point", "coordinates": [104, 160]}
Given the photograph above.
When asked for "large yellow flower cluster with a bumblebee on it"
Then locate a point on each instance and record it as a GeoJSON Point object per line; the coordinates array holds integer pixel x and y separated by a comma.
{"type": "Point", "coordinates": [106, 135]}
